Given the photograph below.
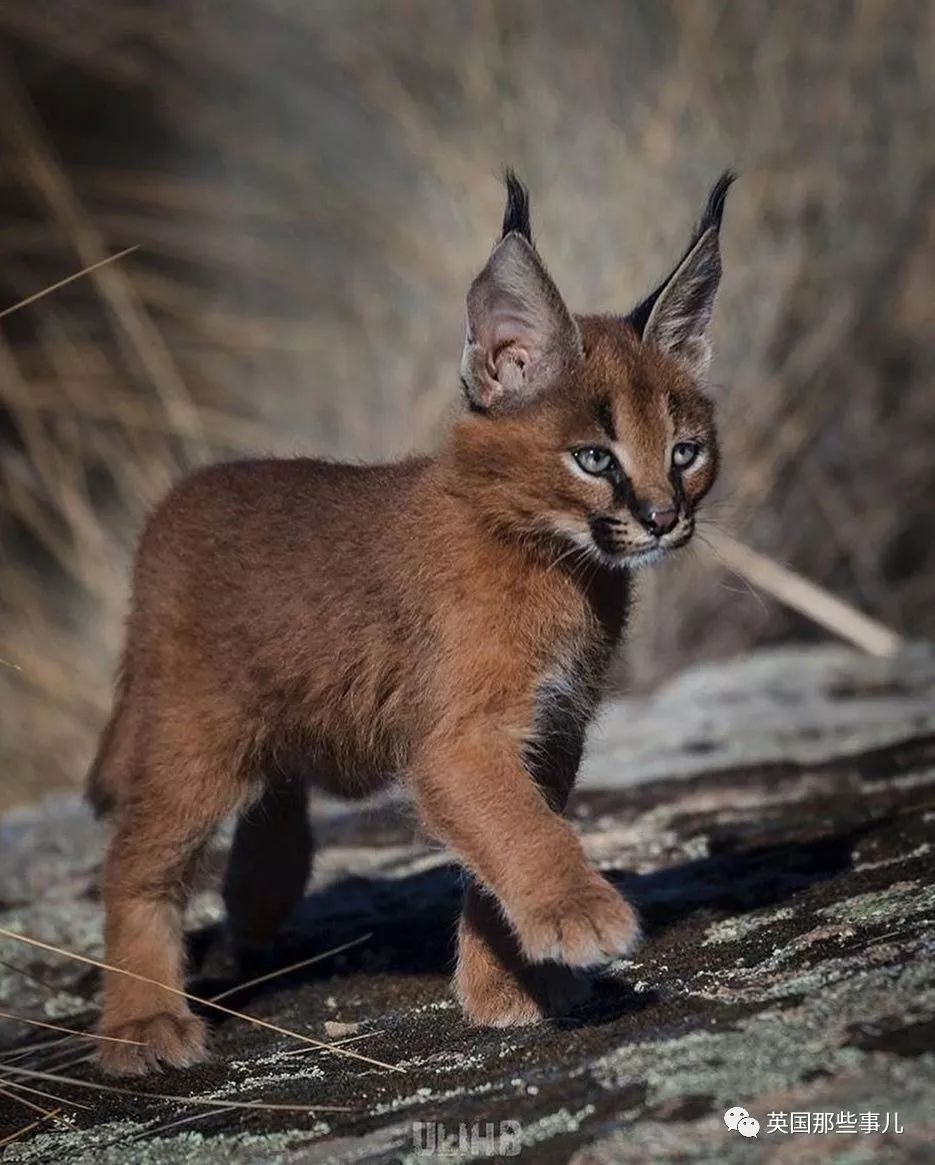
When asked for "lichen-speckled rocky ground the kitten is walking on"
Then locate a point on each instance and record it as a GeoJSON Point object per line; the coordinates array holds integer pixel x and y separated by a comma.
{"type": "Point", "coordinates": [775, 820]}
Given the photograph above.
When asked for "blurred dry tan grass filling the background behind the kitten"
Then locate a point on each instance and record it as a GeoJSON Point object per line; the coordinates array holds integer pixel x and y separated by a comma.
{"type": "Point", "coordinates": [314, 183]}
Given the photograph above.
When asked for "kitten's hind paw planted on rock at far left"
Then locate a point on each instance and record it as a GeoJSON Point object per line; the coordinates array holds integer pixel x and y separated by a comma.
{"type": "Point", "coordinates": [161, 1040]}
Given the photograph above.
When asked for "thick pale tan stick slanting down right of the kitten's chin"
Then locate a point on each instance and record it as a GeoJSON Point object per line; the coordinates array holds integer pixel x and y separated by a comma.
{"type": "Point", "coordinates": [810, 599]}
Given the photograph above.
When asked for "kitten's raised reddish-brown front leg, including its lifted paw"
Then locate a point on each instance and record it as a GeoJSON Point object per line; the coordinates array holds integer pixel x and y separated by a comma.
{"type": "Point", "coordinates": [477, 796]}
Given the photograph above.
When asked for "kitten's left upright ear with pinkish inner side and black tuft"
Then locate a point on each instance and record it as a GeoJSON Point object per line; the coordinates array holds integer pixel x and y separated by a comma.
{"type": "Point", "coordinates": [521, 337]}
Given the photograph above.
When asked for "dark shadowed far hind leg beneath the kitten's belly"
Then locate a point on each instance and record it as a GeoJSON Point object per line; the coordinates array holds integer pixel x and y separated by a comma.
{"type": "Point", "coordinates": [270, 865]}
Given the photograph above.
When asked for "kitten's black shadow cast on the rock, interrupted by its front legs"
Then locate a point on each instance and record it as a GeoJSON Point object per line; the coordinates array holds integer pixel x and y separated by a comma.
{"type": "Point", "coordinates": [412, 920]}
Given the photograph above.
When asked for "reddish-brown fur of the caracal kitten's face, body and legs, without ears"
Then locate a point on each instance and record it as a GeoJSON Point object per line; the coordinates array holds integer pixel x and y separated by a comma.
{"type": "Point", "coordinates": [297, 623]}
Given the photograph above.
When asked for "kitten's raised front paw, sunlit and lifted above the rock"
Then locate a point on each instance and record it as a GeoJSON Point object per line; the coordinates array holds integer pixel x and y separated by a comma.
{"type": "Point", "coordinates": [585, 927]}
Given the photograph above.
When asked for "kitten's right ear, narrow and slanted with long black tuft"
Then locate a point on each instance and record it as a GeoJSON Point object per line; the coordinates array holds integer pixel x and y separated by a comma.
{"type": "Point", "coordinates": [677, 317]}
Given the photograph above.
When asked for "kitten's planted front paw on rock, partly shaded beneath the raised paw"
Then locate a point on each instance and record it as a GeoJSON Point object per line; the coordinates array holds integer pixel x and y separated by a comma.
{"type": "Point", "coordinates": [497, 999]}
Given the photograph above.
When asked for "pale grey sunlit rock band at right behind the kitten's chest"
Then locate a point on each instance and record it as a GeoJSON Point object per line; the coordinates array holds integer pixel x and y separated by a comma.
{"type": "Point", "coordinates": [773, 707]}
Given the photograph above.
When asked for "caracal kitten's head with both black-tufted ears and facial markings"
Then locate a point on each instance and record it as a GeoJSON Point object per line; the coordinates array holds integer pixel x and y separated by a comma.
{"type": "Point", "coordinates": [593, 432]}
